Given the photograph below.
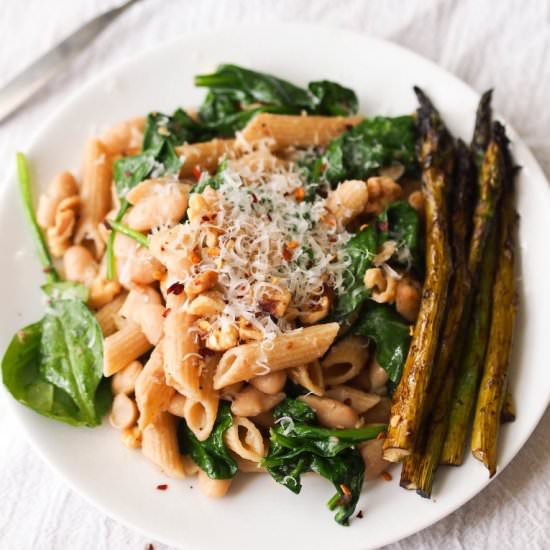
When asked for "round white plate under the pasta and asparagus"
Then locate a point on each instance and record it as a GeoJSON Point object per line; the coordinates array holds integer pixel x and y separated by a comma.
{"type": "Point", "coordinates": [259, 513]}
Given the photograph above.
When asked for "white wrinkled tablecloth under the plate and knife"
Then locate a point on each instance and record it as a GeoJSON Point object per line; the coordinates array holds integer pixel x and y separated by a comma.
{"type": "Point", "coordinates": [498, 43]}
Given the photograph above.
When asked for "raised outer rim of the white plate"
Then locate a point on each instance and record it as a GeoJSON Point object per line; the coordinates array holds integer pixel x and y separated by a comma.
{"type": "Point", "coordinates": [35, 137]}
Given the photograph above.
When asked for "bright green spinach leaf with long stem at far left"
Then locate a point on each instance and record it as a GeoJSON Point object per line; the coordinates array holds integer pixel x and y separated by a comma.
{"type": "Point", "coordinates": [55, 366]}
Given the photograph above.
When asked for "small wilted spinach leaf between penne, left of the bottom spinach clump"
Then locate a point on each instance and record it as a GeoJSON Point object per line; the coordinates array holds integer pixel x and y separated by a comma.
{"type": "Point", "coordinates": [211, 455]}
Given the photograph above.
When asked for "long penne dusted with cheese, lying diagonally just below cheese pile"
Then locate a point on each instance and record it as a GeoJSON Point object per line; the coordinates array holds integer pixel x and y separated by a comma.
{"type": "Point", "coordinates": [289, 350]}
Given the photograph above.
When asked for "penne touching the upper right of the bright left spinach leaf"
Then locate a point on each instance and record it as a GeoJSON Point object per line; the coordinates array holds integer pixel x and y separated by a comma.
{"type": "Point", "coordinates": [123, 347]}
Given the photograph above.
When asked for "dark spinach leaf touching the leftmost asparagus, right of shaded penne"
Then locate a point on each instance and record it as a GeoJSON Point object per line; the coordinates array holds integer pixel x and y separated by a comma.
{"type": "Point", "coordinates": [390, 334]}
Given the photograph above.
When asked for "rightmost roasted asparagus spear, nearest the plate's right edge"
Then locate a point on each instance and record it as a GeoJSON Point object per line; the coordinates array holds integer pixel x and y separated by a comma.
{"type": "Point", "coordinates": [492, 390]}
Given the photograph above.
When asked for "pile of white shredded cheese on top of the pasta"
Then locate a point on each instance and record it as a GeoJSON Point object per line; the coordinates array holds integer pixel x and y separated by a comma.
{"type": "Point", "coordinates": [270, 241]}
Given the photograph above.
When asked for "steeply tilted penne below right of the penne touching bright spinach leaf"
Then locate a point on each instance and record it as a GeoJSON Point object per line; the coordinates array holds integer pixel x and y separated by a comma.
{"type": "Point", "coordinates": [153, 395]}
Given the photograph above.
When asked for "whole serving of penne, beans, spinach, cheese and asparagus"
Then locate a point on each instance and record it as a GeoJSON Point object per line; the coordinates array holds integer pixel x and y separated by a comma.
{"type": "Point", "coordinates": [276, 284]}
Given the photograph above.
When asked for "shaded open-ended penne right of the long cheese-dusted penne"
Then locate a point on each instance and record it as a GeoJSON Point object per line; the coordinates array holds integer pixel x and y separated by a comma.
{"type": "Point", "coordinates": [345, 360]}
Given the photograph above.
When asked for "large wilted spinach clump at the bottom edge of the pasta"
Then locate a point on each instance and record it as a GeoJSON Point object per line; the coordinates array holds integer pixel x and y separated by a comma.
{"type": "Point", "coordinates": [298, 445]}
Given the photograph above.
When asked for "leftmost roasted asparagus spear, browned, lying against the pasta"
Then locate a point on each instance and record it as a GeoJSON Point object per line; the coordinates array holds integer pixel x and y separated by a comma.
{"type": "Point", "coordinates": [435, 154]}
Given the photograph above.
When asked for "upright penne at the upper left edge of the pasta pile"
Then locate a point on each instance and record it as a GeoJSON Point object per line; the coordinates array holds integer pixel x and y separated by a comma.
{"type": "Point", "coordinates": [95, 194]}
